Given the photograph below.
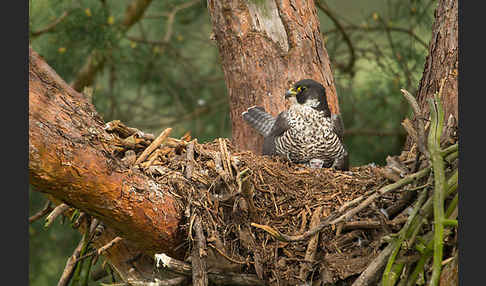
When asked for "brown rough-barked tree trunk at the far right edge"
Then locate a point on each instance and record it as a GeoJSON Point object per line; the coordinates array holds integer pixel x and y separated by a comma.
{"type": "Point", "coordinates": [442, 62]}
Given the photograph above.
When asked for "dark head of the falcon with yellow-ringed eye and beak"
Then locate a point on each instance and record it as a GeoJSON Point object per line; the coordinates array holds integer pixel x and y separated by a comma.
{"type": "Point", "coordinates": [310, 93]}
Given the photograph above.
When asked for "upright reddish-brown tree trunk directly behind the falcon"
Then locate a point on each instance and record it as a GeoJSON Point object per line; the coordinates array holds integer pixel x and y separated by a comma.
{"type": "Point", "coordinates": [265, 46]}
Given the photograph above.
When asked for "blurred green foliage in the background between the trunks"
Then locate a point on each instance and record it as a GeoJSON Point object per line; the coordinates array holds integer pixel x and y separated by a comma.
{"type": "Point", "coordinates": [164, 71]}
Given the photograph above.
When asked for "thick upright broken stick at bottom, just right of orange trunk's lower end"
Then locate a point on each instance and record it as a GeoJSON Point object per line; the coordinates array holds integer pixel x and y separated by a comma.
{"type": "Point", "coordinates": [199, 255]}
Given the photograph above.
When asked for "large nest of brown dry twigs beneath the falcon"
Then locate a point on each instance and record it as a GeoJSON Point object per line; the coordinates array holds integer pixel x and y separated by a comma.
{"type": "Point", "coordinates": [228, 190]}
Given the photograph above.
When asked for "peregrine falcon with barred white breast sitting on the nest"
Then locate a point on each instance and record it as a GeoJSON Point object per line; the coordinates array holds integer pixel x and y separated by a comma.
{"type": "Point", "coordinates": [306, 133]}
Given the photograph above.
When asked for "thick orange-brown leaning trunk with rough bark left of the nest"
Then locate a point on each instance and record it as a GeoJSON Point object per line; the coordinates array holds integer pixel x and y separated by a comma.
{"type": "Point", "coordinates": [70, 160]}
